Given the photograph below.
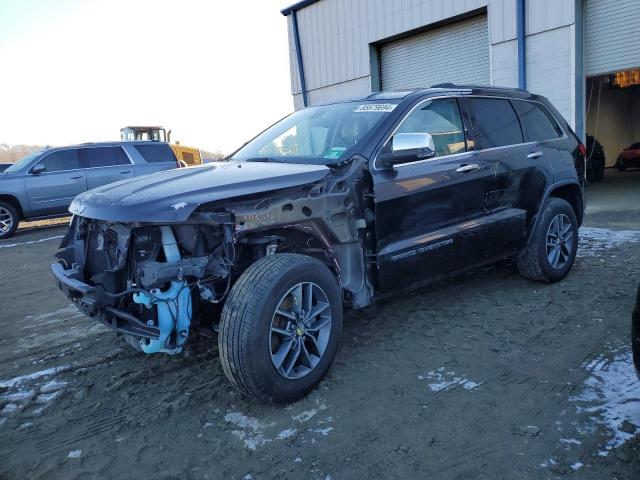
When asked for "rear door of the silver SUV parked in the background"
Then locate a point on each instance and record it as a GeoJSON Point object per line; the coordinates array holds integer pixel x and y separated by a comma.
{"type": "Point", "coordinates": [106, 165]}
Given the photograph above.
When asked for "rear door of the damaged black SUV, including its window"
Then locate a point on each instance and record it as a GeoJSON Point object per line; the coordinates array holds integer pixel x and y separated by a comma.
{"type": "Point", "coordinates": [499, 140]}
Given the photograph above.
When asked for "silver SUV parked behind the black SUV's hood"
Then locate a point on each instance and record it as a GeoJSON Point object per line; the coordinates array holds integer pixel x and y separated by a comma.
{"type": "Point", "coordinates": [42, 185]}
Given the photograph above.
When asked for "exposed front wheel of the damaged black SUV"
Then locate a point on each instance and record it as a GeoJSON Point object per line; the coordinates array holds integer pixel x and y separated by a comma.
{"type": "Point", "coordinates": [280, 327]}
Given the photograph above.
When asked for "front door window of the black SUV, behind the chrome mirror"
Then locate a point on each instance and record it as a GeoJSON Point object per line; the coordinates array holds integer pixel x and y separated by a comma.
{"type": "Point", "coordinates": [441, 118]}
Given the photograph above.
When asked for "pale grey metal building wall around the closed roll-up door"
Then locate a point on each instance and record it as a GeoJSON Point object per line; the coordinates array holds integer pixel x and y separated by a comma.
{"type": "Point", "coordinates": [336, 36]}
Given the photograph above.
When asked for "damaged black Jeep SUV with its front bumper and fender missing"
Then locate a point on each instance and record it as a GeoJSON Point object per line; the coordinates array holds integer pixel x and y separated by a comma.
{"type": "Point", "coordinates": [333, 207]}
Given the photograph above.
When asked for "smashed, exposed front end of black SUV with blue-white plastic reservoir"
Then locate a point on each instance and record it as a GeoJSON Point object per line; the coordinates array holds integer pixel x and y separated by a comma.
{"type": "Point", "coordinates": [144, 281]}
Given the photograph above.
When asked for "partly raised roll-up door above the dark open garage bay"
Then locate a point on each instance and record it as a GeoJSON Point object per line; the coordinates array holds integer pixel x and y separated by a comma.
{"type": "Point", "coordinates": [611, 36]}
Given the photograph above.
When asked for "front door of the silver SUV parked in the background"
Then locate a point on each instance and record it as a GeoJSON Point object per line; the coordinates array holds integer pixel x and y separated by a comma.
{"type": "Point", "coordinates": [50, 192]}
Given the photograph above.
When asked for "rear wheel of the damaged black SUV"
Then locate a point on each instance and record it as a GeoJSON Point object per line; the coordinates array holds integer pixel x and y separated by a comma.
{"type": "Point", "coordinates": [553, 244]}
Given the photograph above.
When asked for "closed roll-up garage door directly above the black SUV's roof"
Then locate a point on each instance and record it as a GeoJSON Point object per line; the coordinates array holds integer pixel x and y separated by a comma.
{"type": "Point", "coordinates": [456, 53]}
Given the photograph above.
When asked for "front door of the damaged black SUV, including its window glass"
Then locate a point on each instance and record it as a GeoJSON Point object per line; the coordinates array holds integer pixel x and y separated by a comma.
{"type": "Point", "coordinates": [429, 213]}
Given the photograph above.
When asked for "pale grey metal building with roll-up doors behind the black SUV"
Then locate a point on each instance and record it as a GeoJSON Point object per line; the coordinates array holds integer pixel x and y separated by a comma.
{"type": "Point", "coordinates": [566, 50]}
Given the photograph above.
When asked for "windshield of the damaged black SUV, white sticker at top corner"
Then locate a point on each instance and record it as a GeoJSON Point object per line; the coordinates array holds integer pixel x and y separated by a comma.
{"type": "Point", "coordinates": [320, 135]}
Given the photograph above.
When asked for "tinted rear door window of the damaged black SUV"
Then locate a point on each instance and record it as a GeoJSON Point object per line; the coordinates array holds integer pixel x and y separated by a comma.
{"type": "Point", "coordinates": [495, 123]}
